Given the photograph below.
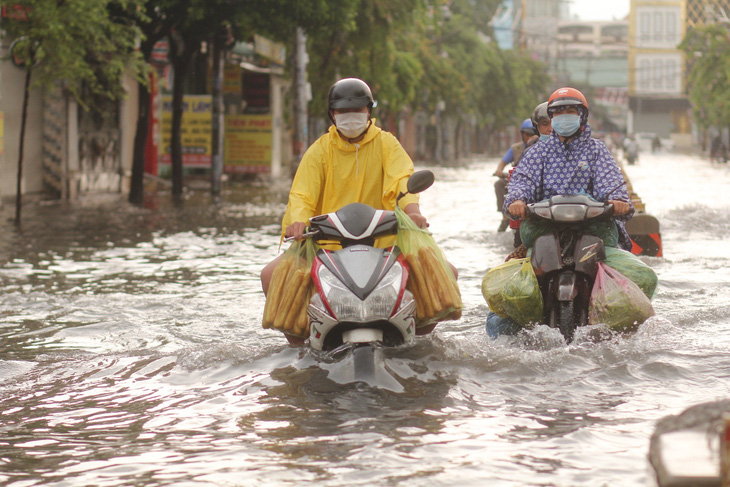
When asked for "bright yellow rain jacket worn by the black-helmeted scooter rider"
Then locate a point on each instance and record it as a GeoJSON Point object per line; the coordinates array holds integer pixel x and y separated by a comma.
{"type": "Point", "coordinates": [334, 173]}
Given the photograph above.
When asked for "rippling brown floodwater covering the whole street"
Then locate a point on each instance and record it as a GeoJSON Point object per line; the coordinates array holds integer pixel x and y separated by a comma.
{"type": "Point", "coordinates": [132, 353]}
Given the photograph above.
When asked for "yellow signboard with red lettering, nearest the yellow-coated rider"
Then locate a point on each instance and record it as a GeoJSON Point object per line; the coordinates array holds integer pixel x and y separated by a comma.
{"type": "Point", "coordinates": [247, 144]}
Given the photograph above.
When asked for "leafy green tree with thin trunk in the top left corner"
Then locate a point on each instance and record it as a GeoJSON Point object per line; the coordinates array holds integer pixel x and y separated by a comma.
{"type": "Point", "coordinates": [82, 43]}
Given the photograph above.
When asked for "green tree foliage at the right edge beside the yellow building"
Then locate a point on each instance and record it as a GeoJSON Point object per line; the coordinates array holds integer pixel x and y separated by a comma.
{"type": "Point", "coordinates": [708, 48]}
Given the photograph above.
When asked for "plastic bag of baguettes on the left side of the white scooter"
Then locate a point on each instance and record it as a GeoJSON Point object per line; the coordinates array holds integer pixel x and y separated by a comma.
{"type": "Point", "coordinates": [290, 289]}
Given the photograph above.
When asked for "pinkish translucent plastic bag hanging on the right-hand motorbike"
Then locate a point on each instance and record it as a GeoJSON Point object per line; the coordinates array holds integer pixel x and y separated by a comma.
{"type": "Point", "coordinates": [617, 301]}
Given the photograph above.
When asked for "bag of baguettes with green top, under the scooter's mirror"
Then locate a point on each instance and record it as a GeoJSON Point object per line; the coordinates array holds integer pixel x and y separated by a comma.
{"type": "Point", "coordinates": [430, 278]}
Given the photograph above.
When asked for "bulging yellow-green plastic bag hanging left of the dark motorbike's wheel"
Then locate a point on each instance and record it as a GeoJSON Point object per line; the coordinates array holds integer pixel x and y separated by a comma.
{"type": "Point", "coordinates": [512, 291]}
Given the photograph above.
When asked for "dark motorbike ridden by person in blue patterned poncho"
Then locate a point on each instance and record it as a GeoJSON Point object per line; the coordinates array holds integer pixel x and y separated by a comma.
{"type": "Point", "coordinates": [566, 260]}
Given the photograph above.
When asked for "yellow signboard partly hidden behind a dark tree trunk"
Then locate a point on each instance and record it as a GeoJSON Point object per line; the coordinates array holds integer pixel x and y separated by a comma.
{"type": "Point", "coordinates": [195, 130]}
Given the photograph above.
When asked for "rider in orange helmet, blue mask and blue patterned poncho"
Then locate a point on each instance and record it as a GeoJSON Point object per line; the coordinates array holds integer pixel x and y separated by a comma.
{"type": "Point", "coordinates": [570, 162]}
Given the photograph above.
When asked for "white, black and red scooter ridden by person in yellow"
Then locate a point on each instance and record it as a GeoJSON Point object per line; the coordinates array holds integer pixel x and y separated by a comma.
{"type": "Point", "coordinates": [361, 301]}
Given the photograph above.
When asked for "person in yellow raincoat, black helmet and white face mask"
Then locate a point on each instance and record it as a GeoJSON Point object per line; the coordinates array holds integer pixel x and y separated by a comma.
{"type": "Point", "coordinates": [355, 161]}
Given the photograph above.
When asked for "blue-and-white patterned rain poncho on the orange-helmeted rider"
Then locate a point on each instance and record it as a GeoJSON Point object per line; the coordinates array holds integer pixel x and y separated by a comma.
{"type": "Point", "coordinates": [585, 164]}
